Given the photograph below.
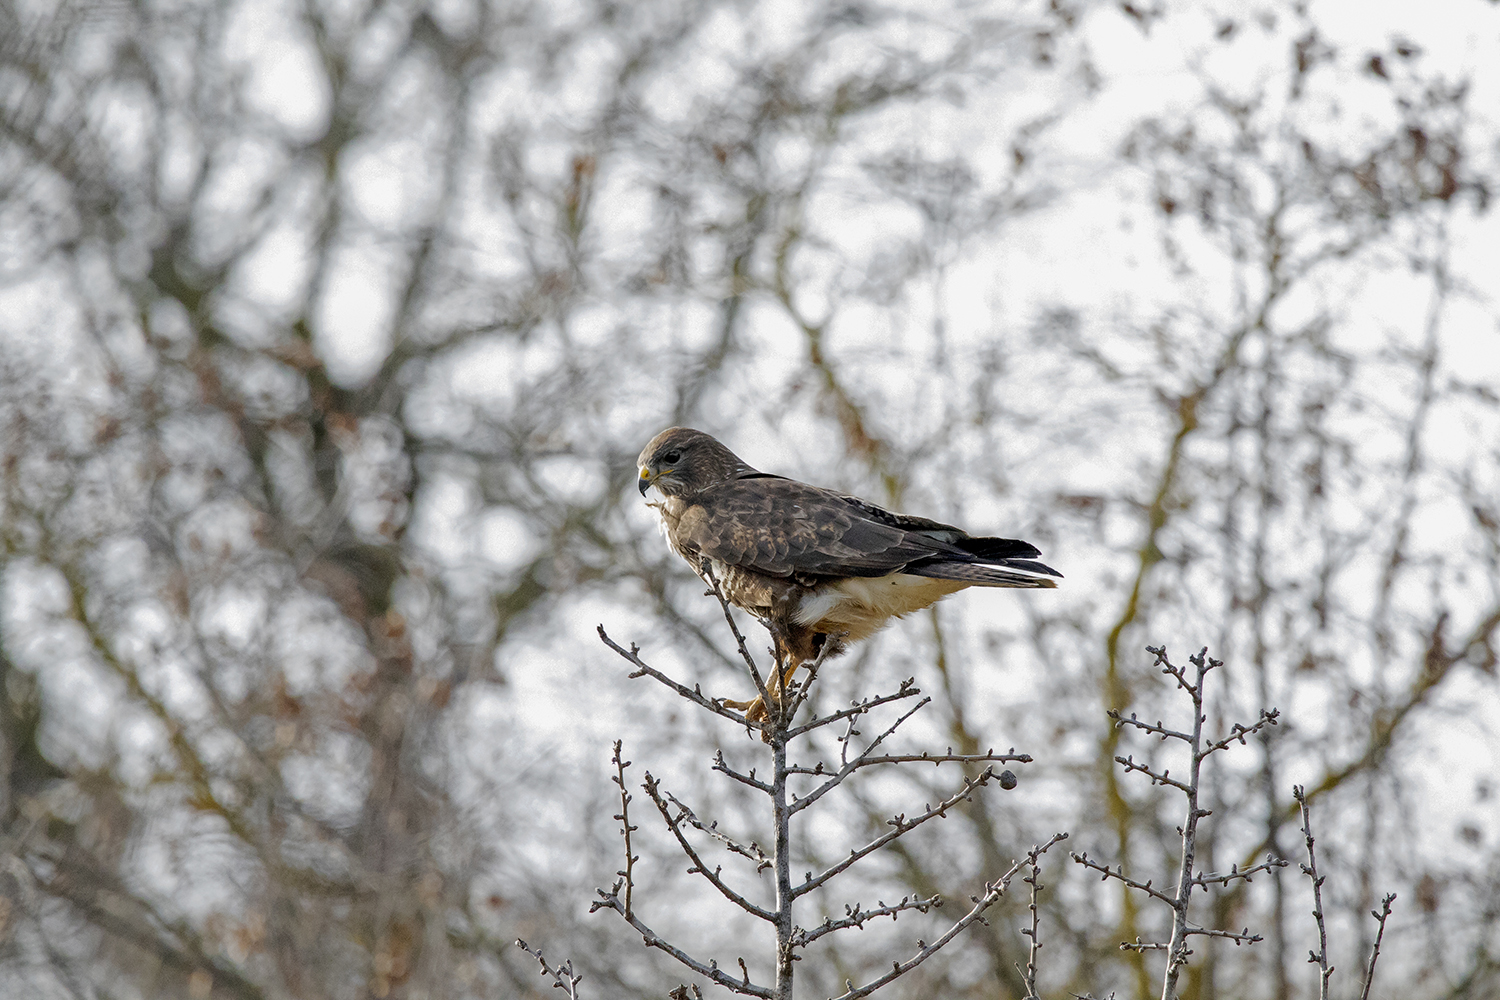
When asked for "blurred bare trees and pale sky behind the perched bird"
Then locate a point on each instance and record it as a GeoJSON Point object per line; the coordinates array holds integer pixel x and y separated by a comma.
{"type": "Point", "coordinates": [331, 331]}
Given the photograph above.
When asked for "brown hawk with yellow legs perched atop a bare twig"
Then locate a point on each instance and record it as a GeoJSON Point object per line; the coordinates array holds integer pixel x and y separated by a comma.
{"type": "Point", "coordinates": [814, 566]}
